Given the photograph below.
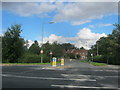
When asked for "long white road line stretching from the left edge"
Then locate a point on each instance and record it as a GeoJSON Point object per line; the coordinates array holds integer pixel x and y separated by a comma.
{"type": "Point", "coordinates": [47, 78]}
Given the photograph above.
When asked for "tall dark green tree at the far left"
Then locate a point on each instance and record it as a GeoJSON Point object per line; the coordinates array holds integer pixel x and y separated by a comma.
{"type": "Point", "coordinates": [12, 44]}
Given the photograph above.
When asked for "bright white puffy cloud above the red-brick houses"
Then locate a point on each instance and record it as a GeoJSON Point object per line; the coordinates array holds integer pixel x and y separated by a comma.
{"type": "Point", "coordinates": [86, 38]}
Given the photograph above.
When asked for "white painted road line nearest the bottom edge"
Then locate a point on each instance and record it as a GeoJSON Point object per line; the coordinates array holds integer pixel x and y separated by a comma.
{"type": "Point", "coordinates": [71, 86]}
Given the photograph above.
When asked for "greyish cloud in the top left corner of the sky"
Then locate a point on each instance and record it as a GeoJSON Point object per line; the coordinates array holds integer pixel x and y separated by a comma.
{"type": "Point", "coordinates": [29, 9]}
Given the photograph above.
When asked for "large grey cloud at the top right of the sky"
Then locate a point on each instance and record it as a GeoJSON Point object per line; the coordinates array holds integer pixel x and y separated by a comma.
{"type": "Point", "coordinates": [73, 12]}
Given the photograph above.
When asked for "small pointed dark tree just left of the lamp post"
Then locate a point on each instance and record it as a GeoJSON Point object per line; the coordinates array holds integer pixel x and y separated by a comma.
{"type": "Point", "coordinates": [34, 48]}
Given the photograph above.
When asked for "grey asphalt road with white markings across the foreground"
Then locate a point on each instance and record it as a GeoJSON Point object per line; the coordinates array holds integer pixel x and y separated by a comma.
{"type": "Point", "coordinates": [74, 74]}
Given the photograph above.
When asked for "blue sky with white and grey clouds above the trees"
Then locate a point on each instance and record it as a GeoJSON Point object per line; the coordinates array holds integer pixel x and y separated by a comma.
{"type": "Point", "coordinates": [79, 23]}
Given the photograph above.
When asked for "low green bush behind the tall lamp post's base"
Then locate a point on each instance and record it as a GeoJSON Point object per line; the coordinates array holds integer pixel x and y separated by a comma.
{"type": "Point", "coordinates": [33, 58]}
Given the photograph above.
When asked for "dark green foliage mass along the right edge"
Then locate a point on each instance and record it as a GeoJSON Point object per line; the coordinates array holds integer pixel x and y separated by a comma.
{"type": "Point", "coordinates": [108, 47]}
